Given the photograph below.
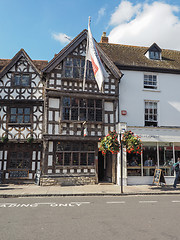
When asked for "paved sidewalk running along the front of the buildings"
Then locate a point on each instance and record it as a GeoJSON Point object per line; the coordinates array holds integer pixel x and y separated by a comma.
{"type": "Point", "coordinates": [32, 190]}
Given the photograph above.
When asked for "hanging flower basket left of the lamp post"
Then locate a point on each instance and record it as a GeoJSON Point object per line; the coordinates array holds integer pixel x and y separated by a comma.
{"type": "Point", "coordinates": [109, 143]}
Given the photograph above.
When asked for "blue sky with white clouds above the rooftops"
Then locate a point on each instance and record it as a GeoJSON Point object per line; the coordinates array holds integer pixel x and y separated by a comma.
{"type": "Point", "coordinates": [39, 26]}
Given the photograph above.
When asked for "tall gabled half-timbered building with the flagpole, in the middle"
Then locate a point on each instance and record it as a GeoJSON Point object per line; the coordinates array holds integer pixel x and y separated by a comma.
{"type": "Point", "coordinates": [75, 119]}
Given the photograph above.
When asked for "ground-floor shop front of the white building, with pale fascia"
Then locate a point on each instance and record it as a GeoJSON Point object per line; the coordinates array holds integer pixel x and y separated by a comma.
{"type": "Point", "coordinates": [161, 148]}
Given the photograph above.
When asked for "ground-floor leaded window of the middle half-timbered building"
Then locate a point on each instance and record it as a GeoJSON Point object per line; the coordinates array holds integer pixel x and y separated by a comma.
{"type": "Point", "coordinates": [75, 153]}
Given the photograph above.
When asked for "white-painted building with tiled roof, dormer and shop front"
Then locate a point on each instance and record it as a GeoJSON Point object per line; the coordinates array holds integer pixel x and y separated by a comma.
{"type": "Point", "coordinates": [149, 106]}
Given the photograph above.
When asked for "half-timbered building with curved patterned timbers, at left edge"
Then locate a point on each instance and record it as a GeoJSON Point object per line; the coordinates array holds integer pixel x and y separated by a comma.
{"type": "Point", "coordinates": [21, 117]}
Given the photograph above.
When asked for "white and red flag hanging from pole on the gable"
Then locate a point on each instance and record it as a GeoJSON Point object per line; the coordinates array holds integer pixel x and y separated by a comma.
{"type": "Point", "coordinates": [93, 56]}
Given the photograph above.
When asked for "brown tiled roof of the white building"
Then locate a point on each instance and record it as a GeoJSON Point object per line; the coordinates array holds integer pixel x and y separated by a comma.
{"type": "Point", "coordinates": [132, 57]}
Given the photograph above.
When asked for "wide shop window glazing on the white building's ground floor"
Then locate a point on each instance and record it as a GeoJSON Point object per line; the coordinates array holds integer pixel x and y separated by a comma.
{"type": "Point", "coordinates": [155, 155]}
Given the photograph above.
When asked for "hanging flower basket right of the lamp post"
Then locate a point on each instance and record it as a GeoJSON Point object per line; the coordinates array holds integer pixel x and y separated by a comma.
{"type": "Point", "coordinates": [132, 142]}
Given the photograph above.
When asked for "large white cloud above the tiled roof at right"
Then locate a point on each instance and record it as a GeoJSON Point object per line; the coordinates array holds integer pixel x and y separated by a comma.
{"type": "Point", "coordinates": [145, 24]}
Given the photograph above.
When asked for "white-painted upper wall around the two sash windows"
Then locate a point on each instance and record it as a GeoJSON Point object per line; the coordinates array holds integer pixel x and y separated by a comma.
{"type": "Point", "coordinates": [132, 96]}
